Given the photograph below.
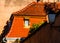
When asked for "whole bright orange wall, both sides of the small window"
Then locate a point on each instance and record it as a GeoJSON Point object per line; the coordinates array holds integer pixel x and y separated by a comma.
{"type": "Point", "coordinates": [17, 28]}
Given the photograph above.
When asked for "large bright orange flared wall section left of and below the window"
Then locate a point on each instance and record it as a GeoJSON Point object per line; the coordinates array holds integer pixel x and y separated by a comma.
{"type": "Point", "coordinates": [17, 28]}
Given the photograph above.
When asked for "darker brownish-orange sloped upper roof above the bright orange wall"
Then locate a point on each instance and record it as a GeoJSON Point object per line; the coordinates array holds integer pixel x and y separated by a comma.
{"type": "Point", "coordinates": [34, 9]}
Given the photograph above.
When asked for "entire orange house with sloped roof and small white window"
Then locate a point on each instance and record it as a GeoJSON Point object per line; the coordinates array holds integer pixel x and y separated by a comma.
{"type": "Point", "coordinates": [24, 19]}
